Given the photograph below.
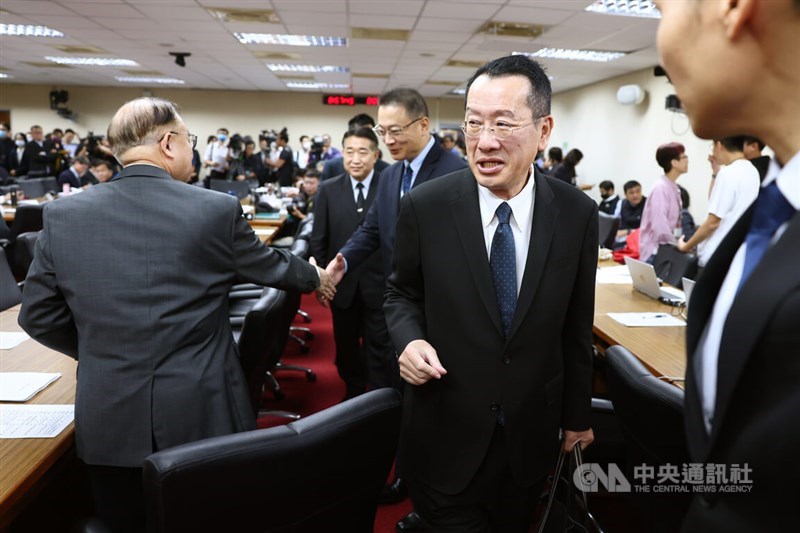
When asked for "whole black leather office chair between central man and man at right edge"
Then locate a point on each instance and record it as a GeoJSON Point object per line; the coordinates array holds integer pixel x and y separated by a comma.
{"type": "Point", "coordinates": [650, 411]}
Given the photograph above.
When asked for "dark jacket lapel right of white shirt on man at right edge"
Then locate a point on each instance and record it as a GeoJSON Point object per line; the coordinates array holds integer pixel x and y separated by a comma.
{"type": "Point", "coordinates": [751, 312]}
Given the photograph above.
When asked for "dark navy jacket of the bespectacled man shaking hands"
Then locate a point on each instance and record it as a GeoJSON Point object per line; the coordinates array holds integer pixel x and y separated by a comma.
{"type": "Point", "coordinates": [377, 231]}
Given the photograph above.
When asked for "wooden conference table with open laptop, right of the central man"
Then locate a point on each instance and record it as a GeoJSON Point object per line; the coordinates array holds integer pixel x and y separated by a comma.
{"type": "Point", "coordinates": [661, 349]}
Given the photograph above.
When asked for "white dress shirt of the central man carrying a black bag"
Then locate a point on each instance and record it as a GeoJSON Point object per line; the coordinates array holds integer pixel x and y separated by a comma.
{"type": "Point", "coordinates": [521, 221]}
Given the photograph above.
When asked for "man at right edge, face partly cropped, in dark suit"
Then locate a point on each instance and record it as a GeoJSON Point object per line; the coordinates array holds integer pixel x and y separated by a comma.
{"type": "Point", "coordinates": [742, 337]}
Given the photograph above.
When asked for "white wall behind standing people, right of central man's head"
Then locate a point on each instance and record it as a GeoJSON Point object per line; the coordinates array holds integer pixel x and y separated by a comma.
{"type": "Point", "coordinates": [619, 142]}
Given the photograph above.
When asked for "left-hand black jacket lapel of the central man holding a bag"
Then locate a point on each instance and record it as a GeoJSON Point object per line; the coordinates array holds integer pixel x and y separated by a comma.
{"type": "Point", "coordinates": [467, 214]}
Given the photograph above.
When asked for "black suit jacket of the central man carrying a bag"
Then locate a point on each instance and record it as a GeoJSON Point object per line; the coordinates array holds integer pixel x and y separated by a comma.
{"type": "Point", "coordinates": [441, 290]}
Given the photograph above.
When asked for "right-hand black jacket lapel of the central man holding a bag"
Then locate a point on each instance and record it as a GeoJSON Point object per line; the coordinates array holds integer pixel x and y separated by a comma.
{"type": "Point", "coordinates": [545, 215]}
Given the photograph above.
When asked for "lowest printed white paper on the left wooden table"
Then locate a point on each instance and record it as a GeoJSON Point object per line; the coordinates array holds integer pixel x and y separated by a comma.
{"type": "Point", "coordinates": [34, 421]}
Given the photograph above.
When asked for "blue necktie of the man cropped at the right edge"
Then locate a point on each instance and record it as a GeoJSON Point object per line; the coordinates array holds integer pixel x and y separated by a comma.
{"type": "Point", "coordinates": [772, 209]}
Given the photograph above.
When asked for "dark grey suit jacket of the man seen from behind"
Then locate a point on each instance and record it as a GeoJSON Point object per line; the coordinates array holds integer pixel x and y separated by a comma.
{"type": "Point", "coordinates": [139, 296]}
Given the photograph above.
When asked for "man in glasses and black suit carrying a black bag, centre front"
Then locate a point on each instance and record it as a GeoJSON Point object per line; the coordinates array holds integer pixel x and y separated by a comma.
{"type": "Point", "coordinates": [491, 302]}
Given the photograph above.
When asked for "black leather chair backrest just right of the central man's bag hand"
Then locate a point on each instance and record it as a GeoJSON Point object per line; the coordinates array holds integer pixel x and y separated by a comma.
{"type": "Point", "coordinates": [649, 409]}
